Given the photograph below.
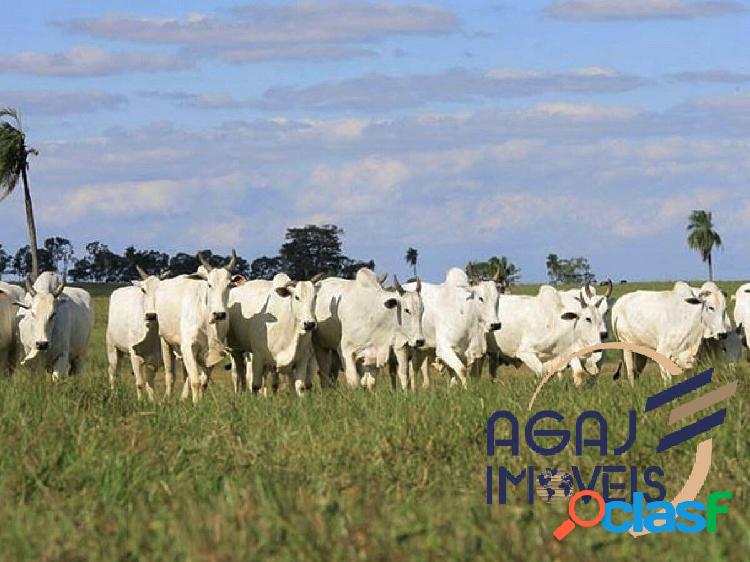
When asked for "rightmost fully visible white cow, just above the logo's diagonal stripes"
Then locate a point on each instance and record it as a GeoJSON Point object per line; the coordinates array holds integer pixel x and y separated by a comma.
{"type": "Point", "coordinates": [672, 323]}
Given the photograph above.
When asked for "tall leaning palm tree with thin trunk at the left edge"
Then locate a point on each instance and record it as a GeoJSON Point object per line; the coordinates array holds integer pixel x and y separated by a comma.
{"type": "Point", "coordinates": [14, 165]}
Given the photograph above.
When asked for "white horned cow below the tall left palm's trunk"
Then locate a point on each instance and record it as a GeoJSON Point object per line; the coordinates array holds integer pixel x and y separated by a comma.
{"type": "Point", "coordinates": [55, 325]}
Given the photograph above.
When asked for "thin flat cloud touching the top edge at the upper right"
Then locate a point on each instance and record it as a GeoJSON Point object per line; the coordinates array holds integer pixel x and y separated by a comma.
{"type": "Point", "coordinates": [603, 10]}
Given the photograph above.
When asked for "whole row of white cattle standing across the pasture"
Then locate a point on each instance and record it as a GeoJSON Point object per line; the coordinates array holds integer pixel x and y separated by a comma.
{"type": "Point", "coordinates": [359, 326]}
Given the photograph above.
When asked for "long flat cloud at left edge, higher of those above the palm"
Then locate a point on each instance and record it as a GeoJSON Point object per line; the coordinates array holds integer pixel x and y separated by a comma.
{"type": "Point", "coordinates": [88, 61]}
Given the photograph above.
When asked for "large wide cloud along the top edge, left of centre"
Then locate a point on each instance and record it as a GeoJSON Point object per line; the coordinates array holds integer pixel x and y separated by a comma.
{"type": "Point", "coordinates": [306, 30]}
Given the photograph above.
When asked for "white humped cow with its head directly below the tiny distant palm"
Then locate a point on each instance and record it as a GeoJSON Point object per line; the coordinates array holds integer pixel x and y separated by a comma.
{"type": "Point", "coordinates": [362, 325]}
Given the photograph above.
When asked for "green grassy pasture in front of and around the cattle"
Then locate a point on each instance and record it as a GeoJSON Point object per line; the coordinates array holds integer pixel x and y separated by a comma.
{"type": "Point", "coordinates": [91, 474]}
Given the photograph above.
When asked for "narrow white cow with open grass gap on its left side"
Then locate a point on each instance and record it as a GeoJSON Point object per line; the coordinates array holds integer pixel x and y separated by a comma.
{"type": "Point", "coordinates": [133, 329]}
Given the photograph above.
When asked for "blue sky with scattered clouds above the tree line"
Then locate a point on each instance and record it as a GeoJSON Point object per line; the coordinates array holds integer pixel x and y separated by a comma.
{"type": "Point", "coordinates": [465, 129]}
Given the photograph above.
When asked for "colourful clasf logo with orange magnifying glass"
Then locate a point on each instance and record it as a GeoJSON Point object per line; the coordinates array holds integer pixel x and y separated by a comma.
{"type": "Point", "coordinates": [654, 517]}
